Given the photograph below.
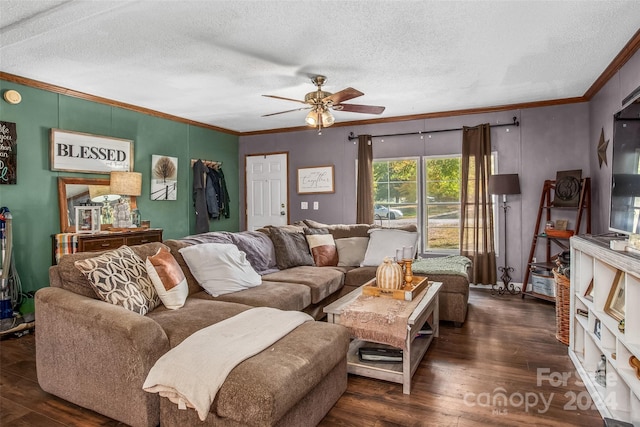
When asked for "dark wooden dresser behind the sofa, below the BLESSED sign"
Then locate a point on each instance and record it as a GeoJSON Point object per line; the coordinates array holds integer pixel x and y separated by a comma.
{"type": "Point", "coordinates": [74, 242]}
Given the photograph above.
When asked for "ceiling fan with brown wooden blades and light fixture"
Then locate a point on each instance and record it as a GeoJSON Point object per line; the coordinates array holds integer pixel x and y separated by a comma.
{"type": "Point", "coordinates": [320, 102]}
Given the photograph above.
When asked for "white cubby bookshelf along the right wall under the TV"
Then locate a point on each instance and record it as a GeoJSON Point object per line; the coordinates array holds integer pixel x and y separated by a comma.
{"type": "Point", "coordinates": [593, 261]}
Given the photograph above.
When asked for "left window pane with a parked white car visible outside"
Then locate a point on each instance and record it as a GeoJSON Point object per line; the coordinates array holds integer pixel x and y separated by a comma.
{"type": "Point", "coordinates": [395, 190]}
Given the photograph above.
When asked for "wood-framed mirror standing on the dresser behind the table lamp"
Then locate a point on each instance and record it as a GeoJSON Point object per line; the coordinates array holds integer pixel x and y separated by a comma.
{"type": "Point", "coordinates": [74, 192]}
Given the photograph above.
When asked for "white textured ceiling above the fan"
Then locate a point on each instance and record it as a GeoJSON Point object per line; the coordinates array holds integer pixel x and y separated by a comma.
{"type": "Point", "coordinates": [210, 61]}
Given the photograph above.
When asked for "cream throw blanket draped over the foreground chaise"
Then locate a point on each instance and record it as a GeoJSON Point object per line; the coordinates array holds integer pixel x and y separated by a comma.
{"type": "Point", "coordinates": [191, 374]}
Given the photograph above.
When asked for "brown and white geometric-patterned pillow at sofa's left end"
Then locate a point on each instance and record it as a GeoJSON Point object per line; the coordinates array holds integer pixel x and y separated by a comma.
{"type": "Point", "coordinates": [120, 277]}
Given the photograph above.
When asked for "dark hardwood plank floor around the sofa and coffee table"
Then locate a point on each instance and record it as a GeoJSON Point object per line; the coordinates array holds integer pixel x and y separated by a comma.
{"type": "Point", "coordinates": [506, 352]}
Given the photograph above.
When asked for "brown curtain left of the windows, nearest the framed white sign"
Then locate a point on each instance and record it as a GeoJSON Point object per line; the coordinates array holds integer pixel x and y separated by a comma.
{"type": "Point", "coordinates": [364, 191]}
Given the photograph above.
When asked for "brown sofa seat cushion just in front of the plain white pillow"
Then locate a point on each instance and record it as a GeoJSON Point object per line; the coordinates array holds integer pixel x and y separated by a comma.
{"type": "Point", "coordinates": [285, 296]}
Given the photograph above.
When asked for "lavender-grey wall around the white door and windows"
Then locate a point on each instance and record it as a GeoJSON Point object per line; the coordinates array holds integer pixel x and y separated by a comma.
{"type": "Point", "coordinates": [549, 139]}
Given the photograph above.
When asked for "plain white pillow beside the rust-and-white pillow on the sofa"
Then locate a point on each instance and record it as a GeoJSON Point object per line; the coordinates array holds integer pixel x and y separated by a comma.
{"type": "Point", "coordinates": [220, 268]}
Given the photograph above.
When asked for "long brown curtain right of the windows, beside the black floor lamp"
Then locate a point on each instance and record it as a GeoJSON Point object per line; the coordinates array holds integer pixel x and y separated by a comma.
{"type": "Point", "coordinates": [476, 222]}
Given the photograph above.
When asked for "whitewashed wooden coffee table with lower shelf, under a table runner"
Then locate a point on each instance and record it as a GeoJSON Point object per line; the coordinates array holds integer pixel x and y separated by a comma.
{"type": "Point", "coordinates": [427, 308]}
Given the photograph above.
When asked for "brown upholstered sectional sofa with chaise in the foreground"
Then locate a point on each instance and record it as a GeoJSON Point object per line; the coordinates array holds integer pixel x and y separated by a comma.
{"type": "Point", "coordinates": [97, 355]}
